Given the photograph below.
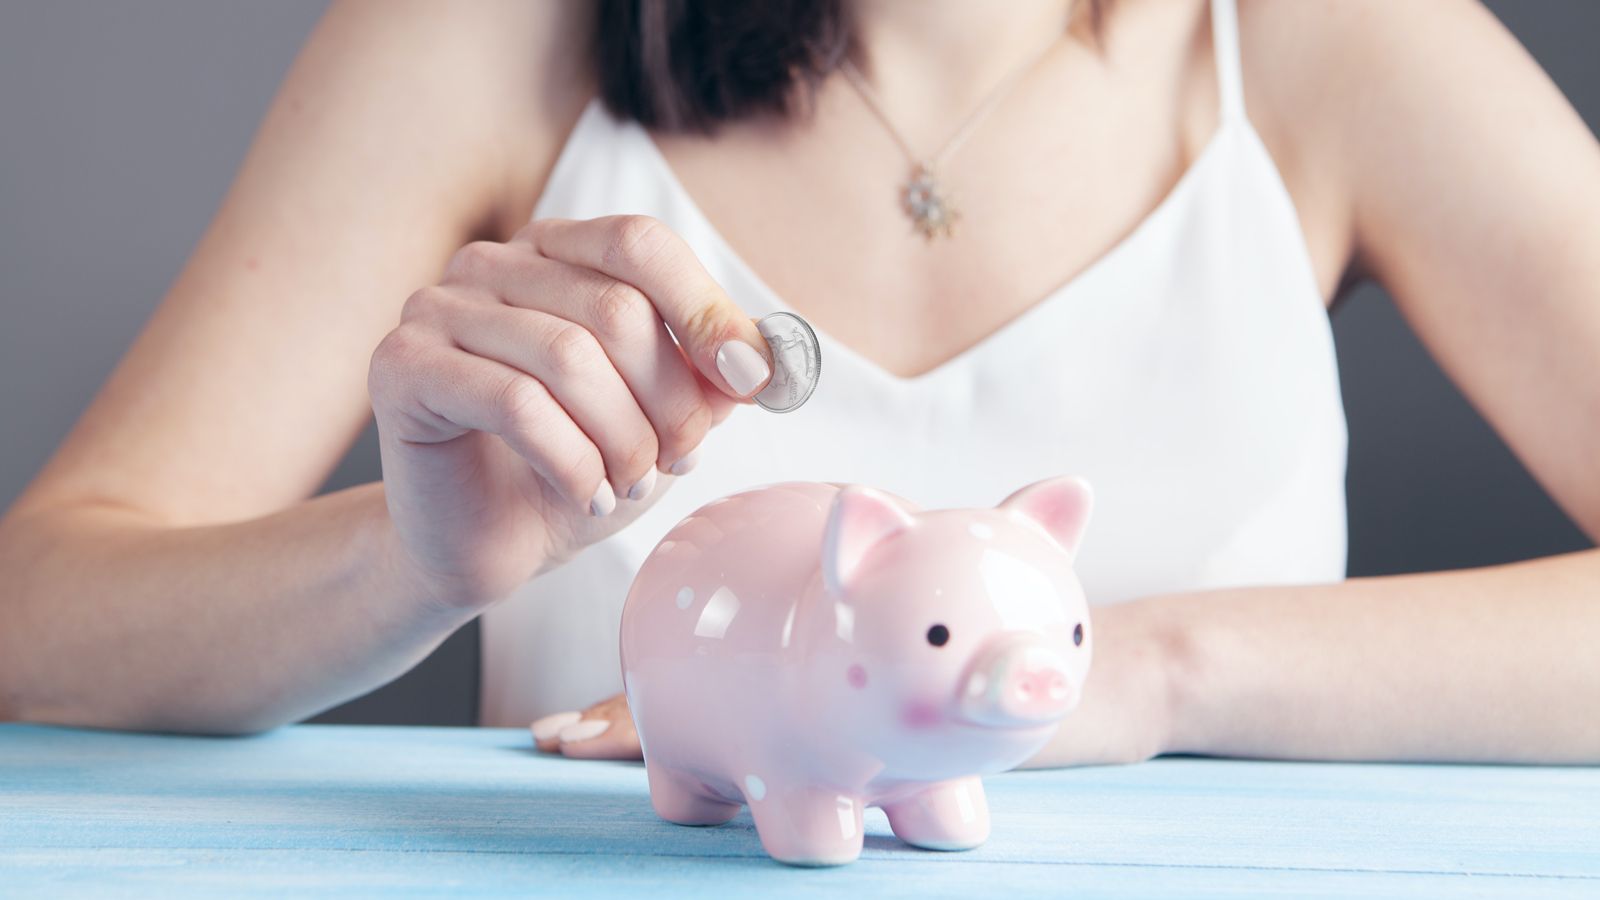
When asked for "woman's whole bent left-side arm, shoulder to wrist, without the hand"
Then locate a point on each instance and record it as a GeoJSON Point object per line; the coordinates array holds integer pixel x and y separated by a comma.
{"type": "Point", "coordinates": [164, 571]}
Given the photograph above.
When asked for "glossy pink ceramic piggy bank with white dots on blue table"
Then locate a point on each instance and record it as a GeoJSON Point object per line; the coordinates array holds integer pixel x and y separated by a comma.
{"type": "Point", "coordinates": [815, 649]}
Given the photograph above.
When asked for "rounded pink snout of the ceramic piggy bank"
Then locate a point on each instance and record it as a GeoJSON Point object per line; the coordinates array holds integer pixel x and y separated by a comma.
{"type": "Point", "coordinates": [1018, 685]}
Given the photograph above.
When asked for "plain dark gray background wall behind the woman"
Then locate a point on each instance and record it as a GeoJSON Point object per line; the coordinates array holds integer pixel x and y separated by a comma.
{"type": "Point", "coordinates": [121, 129]}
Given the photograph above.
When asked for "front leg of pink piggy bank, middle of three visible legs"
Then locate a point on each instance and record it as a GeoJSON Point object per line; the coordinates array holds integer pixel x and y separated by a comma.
{"type": "Point", "coordinates": [806, 827]}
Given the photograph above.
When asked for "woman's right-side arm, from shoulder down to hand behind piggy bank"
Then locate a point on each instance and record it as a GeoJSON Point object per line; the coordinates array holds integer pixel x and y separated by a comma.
{"type": "Point", "coordinates": [1476, 199]}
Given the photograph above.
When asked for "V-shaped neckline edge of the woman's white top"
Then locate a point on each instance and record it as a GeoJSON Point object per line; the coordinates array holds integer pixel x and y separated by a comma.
{"type": "Point", "coordinates": [1006, 332]}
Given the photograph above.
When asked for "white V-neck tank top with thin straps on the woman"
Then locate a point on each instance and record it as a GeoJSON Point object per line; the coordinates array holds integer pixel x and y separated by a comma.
{"type": "Point", "coordinates": [1188, 374]}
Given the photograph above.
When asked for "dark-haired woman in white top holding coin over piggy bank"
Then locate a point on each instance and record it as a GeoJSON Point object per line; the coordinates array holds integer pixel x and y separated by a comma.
{"type": "Point", "coordinates": [1154, 203]}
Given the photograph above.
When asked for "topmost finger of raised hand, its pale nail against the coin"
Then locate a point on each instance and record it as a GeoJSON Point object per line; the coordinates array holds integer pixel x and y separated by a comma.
{"type": "Point", "coordinates": [718, 337]}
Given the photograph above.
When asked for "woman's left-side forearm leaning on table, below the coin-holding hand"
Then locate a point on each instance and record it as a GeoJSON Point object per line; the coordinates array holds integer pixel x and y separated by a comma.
{"type": "Point", "coordinates": [108, 621]}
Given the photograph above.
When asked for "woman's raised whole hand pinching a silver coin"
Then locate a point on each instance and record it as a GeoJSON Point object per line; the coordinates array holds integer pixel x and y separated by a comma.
{"type": "Point", "coordinates": [527, 403]}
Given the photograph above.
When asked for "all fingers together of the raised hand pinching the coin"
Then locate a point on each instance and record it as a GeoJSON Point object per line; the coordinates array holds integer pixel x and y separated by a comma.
{"type": "Point", "coordinates": [604, 352]}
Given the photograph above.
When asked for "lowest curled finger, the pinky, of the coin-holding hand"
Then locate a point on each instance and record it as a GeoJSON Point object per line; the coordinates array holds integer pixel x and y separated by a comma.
{"type": "Point", "coordinates": [436, 393]}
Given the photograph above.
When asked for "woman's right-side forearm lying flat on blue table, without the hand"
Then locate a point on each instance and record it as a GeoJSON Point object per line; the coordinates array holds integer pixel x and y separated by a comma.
{"type": "Point", "coordinates": [1487, 665]}
